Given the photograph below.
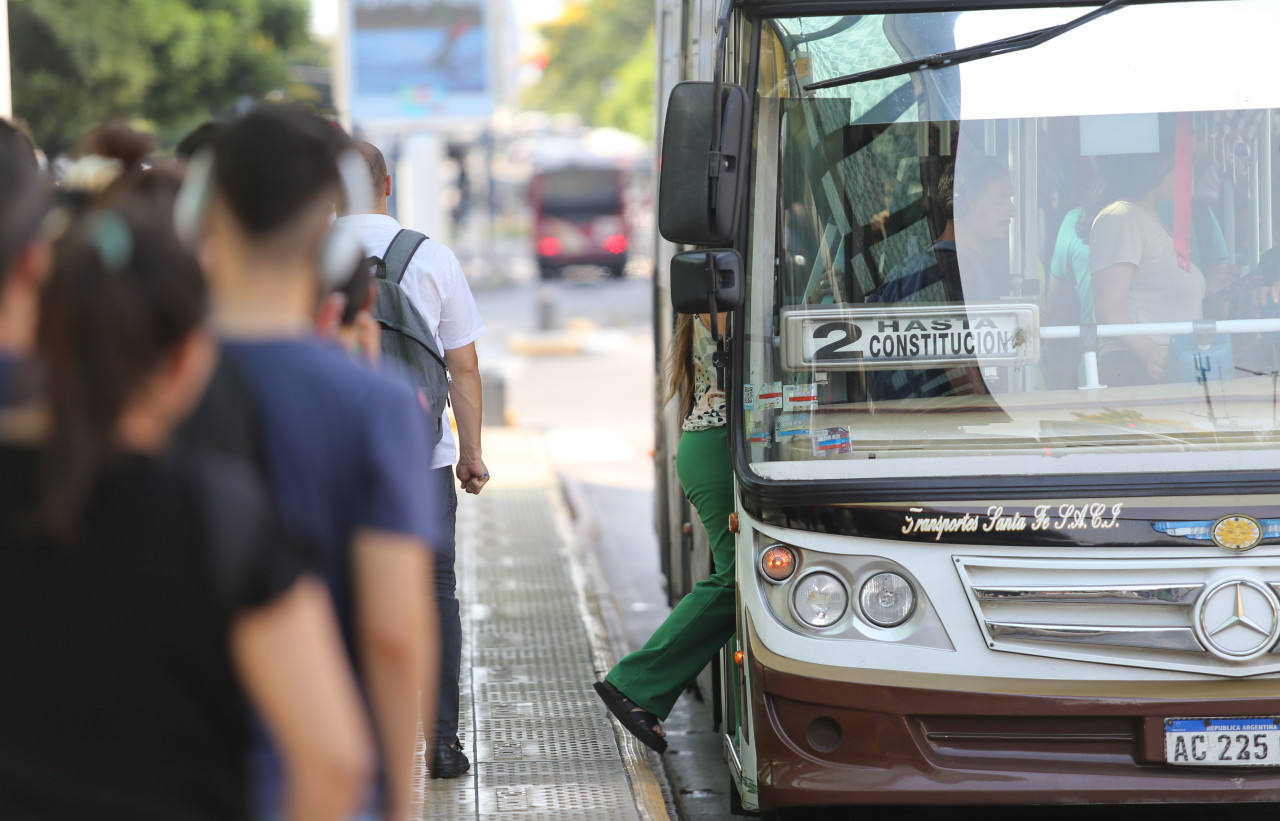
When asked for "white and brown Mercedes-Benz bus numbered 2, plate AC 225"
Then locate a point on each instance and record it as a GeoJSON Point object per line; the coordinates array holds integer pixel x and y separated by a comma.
{"type": "Point", "coordinates": [1003, 375]}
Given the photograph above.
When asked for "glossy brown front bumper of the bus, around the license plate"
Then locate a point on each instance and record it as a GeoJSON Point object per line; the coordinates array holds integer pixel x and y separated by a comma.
{"type": "Point", "coordinates": [831, 742]}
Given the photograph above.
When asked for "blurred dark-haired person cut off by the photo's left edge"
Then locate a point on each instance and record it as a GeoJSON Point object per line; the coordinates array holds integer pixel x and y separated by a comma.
{"type": "Point", "coordinates": [25, 256]}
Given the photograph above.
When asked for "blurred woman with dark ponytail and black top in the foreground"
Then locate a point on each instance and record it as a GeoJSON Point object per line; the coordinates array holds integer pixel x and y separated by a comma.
{"type": "Point", "coordinates": [147, 601]}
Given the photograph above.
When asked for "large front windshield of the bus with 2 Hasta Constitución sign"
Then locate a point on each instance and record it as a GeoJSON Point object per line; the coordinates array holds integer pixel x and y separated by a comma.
{"type": "Point", "coordinates": [1057, 261]}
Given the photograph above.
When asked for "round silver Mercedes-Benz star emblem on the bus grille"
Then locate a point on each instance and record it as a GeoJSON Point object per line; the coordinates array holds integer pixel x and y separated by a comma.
{"type": "Point", "coordinates": [1238, 621]}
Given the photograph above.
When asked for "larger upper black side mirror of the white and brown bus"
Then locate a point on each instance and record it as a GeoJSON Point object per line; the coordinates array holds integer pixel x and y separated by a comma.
{"type": "Point", "coordinates": [700, 190]}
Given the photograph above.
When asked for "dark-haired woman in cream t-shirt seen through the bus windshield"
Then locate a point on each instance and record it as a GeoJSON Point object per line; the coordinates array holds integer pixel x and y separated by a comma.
{"type": "Point", "coordinates": [1137, 277]}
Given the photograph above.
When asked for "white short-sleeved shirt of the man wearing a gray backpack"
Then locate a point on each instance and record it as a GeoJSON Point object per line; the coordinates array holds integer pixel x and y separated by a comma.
{"type": "Point", "coordinates": [438, 289]}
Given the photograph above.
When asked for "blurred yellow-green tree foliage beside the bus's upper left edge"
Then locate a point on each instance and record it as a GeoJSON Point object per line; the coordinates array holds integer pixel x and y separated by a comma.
{"type": "Point", "coordinates": [601, 65]}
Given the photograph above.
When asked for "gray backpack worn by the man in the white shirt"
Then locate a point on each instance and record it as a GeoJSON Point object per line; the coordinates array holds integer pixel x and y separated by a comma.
{"type": "Point", "coordinates": [406, 337]}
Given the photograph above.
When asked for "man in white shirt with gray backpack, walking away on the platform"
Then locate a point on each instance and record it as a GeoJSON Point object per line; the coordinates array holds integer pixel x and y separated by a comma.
{"type": "Point", "coordinates": [431, 323]}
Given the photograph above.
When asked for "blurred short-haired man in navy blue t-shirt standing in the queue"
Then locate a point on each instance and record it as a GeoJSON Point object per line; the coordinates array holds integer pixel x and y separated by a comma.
{"type": "Point", "coordinates": [346, 449]}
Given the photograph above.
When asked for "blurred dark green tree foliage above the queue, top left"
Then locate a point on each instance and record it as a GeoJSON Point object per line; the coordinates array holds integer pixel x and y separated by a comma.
{"type": "Point", "coordinates": [170, 63]}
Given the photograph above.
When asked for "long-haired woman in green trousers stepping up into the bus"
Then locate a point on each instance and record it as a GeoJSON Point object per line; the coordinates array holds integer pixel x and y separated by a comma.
{"type": "Point", "coordinates": [643, 687]}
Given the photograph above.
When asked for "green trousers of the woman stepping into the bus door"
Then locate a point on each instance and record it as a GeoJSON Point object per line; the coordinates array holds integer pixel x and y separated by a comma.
{"type": "Point", "coordinates": [703, 622]}
